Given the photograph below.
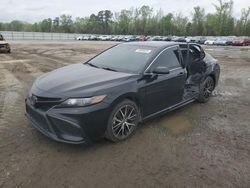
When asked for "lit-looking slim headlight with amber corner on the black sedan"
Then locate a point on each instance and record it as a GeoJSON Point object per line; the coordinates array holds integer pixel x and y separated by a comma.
{"type": "Point", "coordinates": [79, 102]}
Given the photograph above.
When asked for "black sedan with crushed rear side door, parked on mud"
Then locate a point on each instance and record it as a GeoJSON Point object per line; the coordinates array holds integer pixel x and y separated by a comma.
{"type": "Point", "coordinates": [114, 91]}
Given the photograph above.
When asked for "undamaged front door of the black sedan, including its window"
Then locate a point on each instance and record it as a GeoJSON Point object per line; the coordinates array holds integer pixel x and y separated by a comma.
{"type": "Point", "coordinates": [165, 90]}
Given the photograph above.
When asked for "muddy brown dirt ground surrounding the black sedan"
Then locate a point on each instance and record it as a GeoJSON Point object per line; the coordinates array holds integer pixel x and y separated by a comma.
{"type": "Point", "coordinates": [200, 145]}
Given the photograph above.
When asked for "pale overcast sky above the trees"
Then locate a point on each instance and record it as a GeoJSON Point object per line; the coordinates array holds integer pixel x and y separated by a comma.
{"type": "Point", "coordinates": [33, 10]}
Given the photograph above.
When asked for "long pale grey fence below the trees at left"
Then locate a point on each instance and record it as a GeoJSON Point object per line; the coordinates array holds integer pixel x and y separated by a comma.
{"type": "Point", "coordinates": [16, 35]}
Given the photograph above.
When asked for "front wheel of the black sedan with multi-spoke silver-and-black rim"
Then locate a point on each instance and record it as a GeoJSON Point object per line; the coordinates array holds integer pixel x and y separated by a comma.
{"type": "Point", "coordinates": [123, 121]}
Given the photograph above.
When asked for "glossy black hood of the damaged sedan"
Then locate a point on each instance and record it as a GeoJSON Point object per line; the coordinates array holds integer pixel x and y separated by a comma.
{"type": "Point", "coordinates": [78, 80]}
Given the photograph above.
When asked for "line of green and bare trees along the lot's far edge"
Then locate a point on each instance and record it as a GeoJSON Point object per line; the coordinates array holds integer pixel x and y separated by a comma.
{"type": "Point", "coordinates": [145, 21]}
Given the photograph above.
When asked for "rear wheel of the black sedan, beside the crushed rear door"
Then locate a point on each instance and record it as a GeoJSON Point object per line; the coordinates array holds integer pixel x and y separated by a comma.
{"type": "Point", "coordinates": [206, 89]}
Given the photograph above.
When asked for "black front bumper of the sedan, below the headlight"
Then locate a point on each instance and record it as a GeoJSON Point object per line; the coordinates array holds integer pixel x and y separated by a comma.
{"type": "Point", "coordinates": [70, 125]}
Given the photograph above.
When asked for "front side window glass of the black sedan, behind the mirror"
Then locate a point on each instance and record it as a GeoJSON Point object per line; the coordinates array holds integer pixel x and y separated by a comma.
{"type": "Point", "coordinates": [169, 58]}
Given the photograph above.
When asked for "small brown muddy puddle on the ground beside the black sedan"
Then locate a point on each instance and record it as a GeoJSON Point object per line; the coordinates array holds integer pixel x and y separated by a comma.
{"type": "Point", "coordinates": [176, 124]}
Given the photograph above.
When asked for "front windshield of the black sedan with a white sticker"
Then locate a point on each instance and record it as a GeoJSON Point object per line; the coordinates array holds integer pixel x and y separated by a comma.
{"type": "Point", "coordinates": [123, 58]}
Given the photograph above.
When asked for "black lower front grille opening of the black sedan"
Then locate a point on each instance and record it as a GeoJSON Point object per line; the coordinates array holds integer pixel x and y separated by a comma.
{"type": "Point", "coordinates": [38, 118]}
